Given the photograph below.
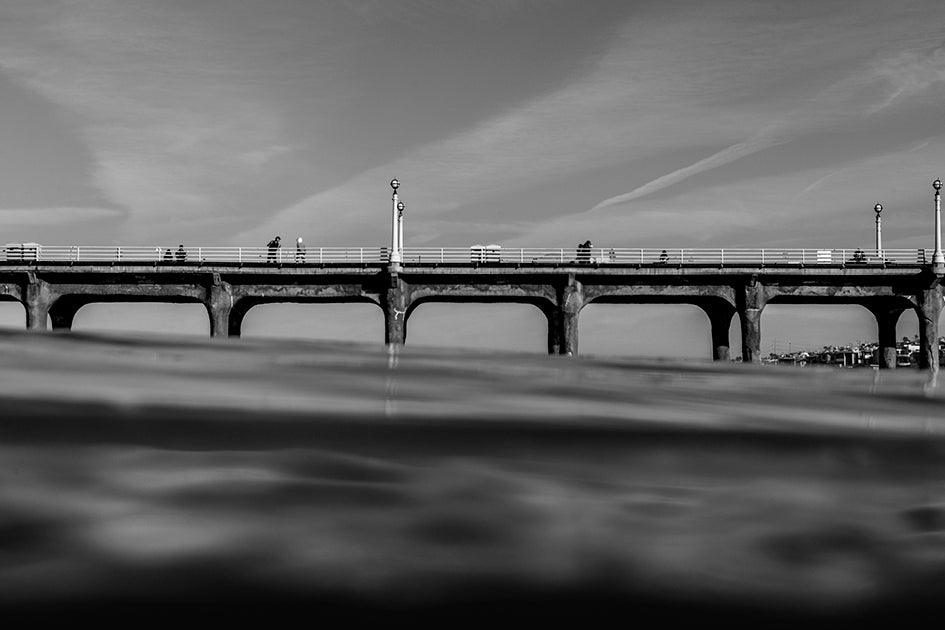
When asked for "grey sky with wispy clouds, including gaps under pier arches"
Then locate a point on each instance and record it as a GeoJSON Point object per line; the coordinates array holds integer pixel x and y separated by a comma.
{"type": "Point", "coordinates": [732, 123]}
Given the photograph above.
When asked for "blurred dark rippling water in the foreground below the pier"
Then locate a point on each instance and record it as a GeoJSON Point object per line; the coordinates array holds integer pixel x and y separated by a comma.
{"type": "Point", "coordinates": [150, 476]}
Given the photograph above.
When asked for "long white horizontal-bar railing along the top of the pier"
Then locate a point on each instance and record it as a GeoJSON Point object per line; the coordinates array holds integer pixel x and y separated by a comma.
{"type": "Point", "coordinates": [478, 255]}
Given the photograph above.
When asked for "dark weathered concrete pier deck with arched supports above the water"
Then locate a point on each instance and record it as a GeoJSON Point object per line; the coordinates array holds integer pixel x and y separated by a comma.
{"type": "Point", "coordinates": [54, 292]}
